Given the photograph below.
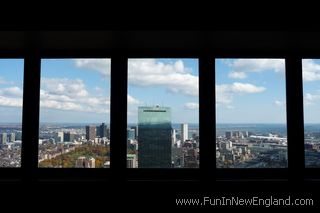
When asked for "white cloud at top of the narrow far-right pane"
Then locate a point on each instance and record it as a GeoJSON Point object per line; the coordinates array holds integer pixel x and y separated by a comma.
{"type": "Point", "coordinates": [311, 70]}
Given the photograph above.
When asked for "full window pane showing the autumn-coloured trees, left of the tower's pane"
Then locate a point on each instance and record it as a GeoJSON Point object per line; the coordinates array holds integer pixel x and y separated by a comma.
{"type": "Point", "coordinates": [74, 113]}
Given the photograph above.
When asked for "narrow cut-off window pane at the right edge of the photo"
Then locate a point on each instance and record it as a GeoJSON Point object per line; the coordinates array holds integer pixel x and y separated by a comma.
{"type": "Point", "coordinates": [311, 92]}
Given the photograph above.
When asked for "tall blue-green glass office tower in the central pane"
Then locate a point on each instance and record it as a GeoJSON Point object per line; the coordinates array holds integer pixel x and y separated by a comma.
{"type": "Point", "coordinates": [154, 129]}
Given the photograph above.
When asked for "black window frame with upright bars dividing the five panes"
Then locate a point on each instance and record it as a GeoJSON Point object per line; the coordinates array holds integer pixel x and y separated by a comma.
{"type": "Point", "coordinates": [205, 46]}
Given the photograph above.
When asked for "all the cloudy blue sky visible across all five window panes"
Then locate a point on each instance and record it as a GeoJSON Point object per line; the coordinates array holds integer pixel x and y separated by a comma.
{"type": "Point", "coordinates": [78, 90]}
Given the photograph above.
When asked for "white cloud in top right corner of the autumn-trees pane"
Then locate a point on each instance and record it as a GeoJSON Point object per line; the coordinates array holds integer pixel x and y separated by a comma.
{"type": "Point", "coordinates": [100, 65]}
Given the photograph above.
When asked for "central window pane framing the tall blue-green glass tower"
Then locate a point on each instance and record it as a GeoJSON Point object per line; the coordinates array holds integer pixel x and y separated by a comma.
{"type": "Point", "coordinates": [163, 121]}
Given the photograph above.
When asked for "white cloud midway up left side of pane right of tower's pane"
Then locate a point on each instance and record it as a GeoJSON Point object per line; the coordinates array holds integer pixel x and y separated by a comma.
{"type": "Point", "coordinates": [226, 92]}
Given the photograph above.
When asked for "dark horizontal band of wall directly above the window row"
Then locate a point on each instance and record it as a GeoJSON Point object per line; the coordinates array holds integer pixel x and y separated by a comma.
{"type": "Point", "coordinates": [276, 43]}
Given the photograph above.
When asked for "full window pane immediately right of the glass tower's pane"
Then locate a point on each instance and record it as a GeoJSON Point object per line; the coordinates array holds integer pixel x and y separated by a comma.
{"type": "Point", "coordinates": [251, 129]}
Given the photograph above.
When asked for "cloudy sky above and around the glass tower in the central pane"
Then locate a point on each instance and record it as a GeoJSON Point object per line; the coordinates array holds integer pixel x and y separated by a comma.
{"type": "Point", "coordinates": [165, 82]}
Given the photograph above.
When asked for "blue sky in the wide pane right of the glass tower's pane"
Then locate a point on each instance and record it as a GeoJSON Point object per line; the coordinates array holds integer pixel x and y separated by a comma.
{"type": "Point", "coordinates": [250, 91]}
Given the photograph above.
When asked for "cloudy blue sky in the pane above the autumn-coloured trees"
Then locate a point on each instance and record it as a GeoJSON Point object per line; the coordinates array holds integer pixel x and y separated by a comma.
{"type": "Point", "coordinates": [75, 90]}
